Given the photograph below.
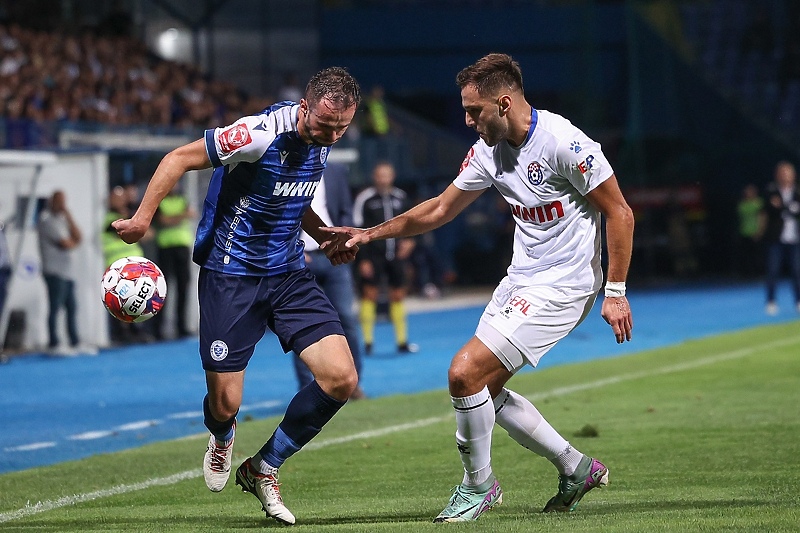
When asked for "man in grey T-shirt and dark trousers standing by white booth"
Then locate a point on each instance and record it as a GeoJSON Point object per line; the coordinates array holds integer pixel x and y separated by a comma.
{"type": "Point", "coordinates": [58, 238]}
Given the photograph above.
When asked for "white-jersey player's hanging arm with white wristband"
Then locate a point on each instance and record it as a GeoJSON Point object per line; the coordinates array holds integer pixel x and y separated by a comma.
{"type": "Point", "coordinates": [616, 310]}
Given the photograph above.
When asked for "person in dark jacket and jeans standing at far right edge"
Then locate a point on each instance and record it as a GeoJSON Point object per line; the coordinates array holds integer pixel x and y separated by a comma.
{"type": "Point", "coordinates": [782, 234]}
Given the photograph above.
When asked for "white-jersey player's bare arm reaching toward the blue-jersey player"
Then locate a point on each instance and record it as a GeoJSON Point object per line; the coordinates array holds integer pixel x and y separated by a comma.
{"type": "Point", "coordinates": [421, 218]}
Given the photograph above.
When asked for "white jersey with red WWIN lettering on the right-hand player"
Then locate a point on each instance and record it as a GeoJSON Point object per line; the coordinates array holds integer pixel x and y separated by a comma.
{"type": "Point", "coordinates": [545, 181]}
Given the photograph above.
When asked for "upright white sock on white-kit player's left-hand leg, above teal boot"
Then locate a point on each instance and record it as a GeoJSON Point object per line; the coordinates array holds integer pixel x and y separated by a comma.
{"type": "Point", "coordinates": [474, 423]}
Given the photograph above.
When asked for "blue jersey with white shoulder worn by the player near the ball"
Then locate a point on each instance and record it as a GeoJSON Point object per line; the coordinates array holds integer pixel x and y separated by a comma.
{"type": "Point", "coordinates": [264, 179]}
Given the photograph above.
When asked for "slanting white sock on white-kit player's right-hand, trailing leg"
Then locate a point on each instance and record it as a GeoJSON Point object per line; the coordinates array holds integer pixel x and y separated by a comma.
{"type": "Point", "coordinates": [526, 425]}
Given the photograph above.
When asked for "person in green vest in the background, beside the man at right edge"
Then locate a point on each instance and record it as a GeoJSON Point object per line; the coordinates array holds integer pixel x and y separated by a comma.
{"type": "Point", "coordinates": [750, 211]}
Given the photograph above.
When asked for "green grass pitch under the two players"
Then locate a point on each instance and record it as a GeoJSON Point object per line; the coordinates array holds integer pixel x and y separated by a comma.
{"type": "Point", "coordinates": [701, 436]}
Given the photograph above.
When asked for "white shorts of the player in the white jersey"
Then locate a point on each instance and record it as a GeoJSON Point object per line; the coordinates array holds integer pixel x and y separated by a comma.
{"type": "Point", "coordinates": [521, 323]}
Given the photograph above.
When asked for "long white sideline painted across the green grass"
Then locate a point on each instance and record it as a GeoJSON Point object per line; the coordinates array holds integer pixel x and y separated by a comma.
{"type": "Point", "coordinates": [49, 505]}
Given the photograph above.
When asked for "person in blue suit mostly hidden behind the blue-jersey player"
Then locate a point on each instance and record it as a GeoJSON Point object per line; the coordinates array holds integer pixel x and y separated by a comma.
{"type": "Point", "coordinates": [334, 205]}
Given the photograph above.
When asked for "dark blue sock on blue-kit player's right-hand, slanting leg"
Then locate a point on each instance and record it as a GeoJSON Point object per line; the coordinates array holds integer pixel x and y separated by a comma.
{"type": "Point", "coordinates": [309, 410]}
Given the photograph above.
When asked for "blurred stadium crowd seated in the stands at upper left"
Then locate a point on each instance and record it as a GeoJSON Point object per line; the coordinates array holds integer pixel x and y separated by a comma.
{"type": "Point", "coordinates": [59, 77]}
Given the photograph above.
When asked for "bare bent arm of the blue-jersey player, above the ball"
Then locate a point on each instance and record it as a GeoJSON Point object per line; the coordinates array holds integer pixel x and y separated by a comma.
{"type": "Point", "coordinates": [173, 166]}
